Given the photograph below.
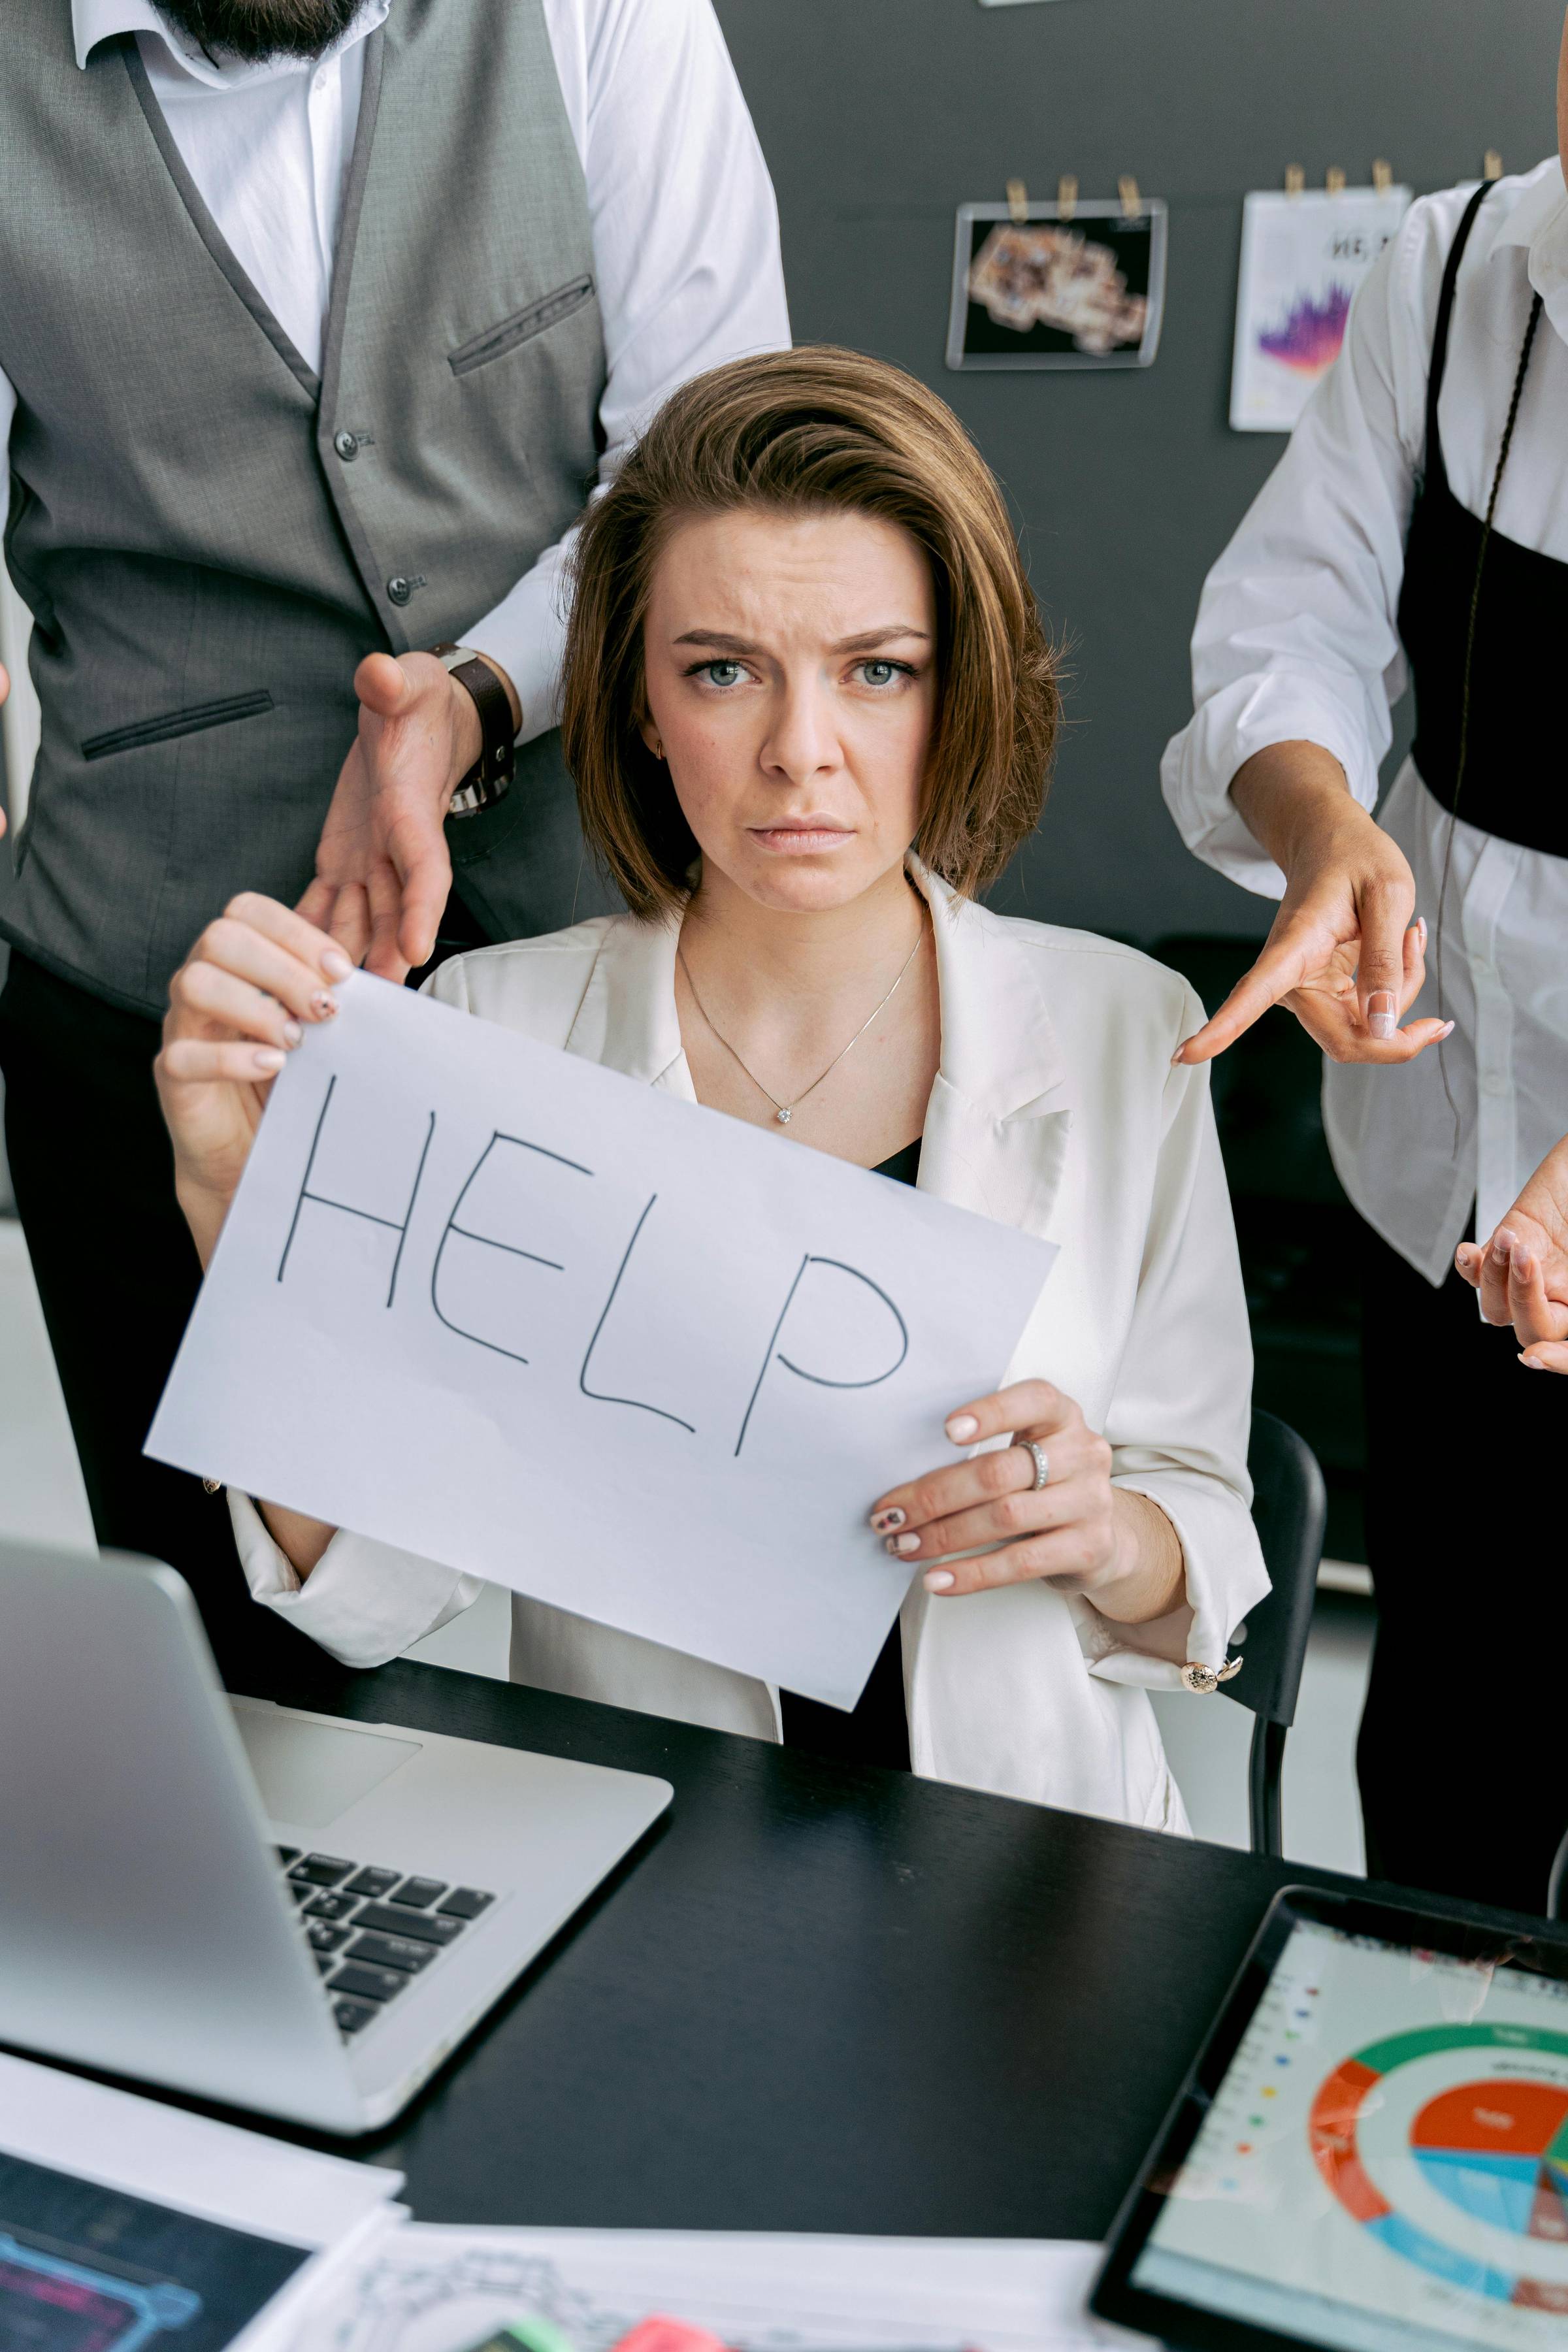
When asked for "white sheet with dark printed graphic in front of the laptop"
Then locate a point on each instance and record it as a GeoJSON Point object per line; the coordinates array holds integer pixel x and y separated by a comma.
{"type": "Point", "coordinates": [128, 2226]}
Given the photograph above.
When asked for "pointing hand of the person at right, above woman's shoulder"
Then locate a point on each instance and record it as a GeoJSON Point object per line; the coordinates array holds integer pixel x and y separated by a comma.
{"type": "Point", "coordinates": [1343, 954]}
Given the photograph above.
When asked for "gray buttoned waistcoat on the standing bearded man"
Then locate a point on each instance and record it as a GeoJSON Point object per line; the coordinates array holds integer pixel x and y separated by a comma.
{"type": "Point", "coordinates": [210, 537]}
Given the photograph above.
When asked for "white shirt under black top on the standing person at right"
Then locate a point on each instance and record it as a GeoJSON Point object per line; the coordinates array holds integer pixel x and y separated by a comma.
{"type": "Point", "coordinates": [1296, 639]}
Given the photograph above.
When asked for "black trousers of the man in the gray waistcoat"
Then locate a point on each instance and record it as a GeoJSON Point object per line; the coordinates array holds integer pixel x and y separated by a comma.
{"type": "Point", "coordinates": [119, 1276]}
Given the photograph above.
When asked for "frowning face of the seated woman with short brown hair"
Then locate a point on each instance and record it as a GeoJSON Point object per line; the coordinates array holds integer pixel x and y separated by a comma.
{"type": "Point", "coordinates": [791, 679]}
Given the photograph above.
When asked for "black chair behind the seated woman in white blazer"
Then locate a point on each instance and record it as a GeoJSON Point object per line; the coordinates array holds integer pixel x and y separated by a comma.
{"type": "Point", "coordinates": [1289, 1514]}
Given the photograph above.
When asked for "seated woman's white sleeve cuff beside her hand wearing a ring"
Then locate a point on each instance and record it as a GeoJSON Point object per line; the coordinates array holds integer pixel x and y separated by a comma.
{"type": "Point", "coordinates": [1226, 1579]}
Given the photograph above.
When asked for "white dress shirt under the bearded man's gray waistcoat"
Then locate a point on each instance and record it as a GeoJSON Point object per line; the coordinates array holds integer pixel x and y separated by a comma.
{"type": "Point", "coordinates": [685, 232]}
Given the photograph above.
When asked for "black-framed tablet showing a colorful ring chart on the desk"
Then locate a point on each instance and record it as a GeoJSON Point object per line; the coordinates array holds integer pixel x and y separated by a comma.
{"type": "Point", "coordinates": [1381, 2160]}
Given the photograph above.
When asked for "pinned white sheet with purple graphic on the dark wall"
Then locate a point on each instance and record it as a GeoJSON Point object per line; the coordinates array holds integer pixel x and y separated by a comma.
{"type": "Point", "coordinates": [1301, 265]}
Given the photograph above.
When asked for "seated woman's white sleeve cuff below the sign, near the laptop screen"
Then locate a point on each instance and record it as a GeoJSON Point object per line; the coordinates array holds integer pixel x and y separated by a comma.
{"type": "Point", "coordinates": [366, 1603]}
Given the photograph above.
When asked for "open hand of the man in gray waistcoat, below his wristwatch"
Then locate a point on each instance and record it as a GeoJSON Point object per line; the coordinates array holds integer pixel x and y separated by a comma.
{"type": "Point", "coordinates": [382, 871]}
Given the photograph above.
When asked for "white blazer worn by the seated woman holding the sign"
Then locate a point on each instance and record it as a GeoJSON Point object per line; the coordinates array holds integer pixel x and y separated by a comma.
{"type": "Point", "coordinates": [1057, 1109]}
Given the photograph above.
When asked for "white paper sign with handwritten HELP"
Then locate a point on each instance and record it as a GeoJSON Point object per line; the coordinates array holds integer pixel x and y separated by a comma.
{"type": "Point", "coordinates": [549, 1325]}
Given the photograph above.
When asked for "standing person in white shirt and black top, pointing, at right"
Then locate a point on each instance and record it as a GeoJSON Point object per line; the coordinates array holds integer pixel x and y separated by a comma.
{"type": "Point", "coordinates": [1416, 533]}
